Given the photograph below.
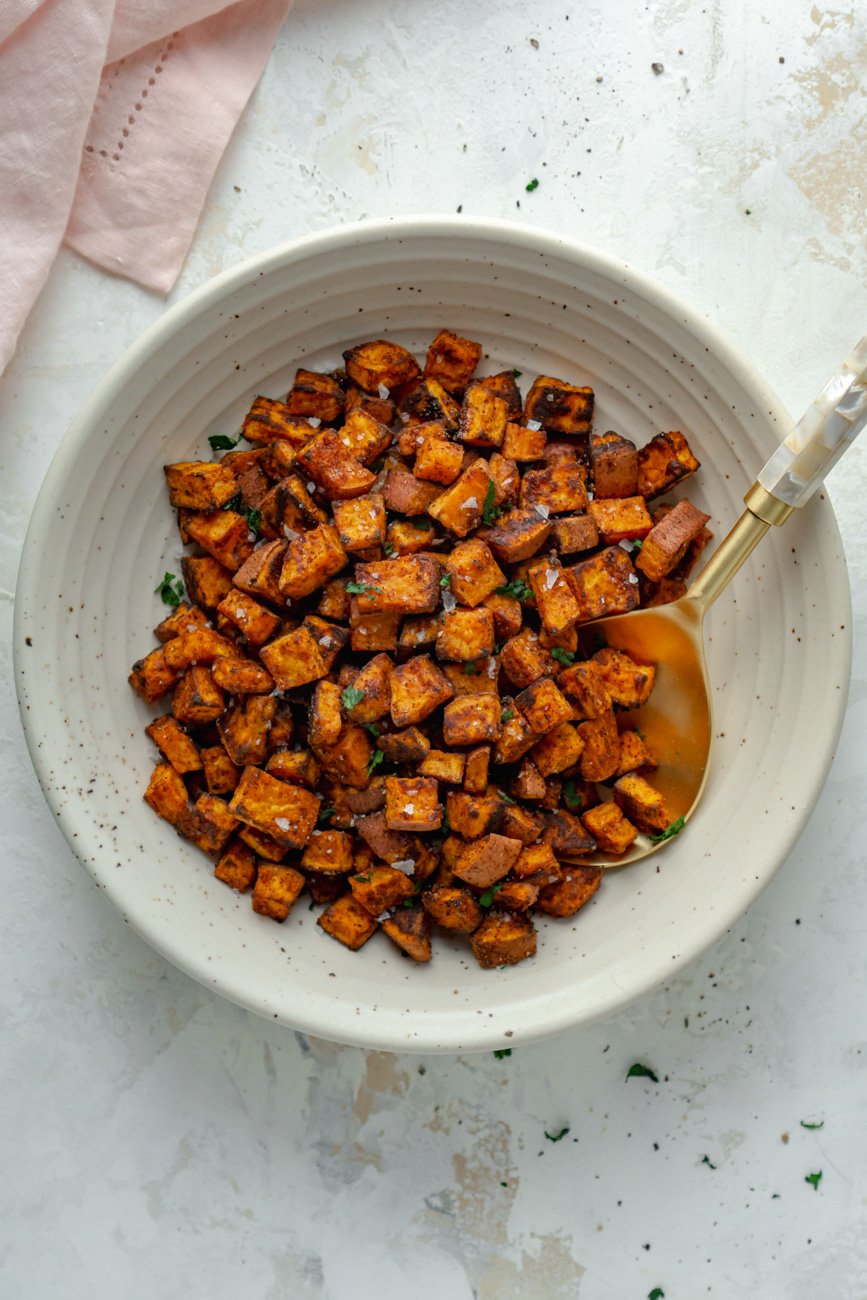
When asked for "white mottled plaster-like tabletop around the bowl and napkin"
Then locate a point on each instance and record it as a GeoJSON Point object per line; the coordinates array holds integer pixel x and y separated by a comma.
{"type": "Point", "coordinates": [161, 1142]}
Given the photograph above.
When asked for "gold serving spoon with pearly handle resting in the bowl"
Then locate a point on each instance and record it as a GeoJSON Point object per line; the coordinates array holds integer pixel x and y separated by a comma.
{"type": "Point", "coordinates": [678, 717]}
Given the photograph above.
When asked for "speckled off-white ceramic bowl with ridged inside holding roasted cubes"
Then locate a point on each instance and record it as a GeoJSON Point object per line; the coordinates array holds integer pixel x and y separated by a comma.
{"type": "Point", "coordinates": [102, 536]}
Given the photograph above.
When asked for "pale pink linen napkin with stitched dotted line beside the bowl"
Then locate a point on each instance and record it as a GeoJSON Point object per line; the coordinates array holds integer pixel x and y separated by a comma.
{"type": "Point", "coordinates": [114, 118]}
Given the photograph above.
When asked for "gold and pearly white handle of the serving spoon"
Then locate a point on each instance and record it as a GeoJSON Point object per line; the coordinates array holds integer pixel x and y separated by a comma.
{"type": "Point", "coordinates": [795, 471]}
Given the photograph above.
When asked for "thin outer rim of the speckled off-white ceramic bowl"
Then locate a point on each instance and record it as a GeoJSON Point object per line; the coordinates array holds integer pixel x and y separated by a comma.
{"type": "Point", "coordinates": [213, 293]}
